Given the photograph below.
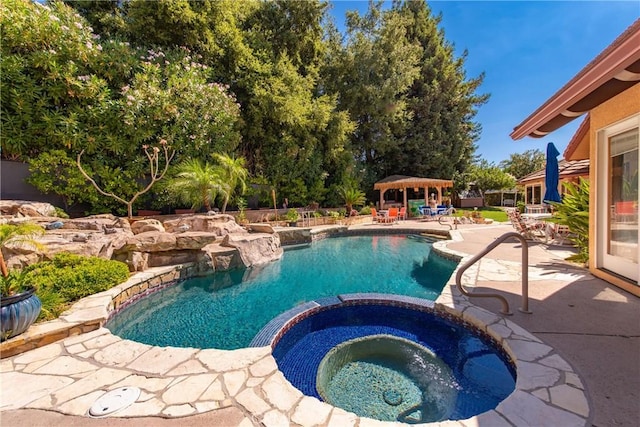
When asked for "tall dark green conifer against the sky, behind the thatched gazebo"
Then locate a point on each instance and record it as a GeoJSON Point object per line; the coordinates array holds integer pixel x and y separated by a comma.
{"type": "Point", "coordinates": [439, 139]}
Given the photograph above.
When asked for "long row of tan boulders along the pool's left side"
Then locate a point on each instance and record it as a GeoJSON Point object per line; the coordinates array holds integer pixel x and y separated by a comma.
{"type": "Point", "coordinates": [211, 242]}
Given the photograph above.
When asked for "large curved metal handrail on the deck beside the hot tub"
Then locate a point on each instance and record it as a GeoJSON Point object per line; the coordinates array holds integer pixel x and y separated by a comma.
{"type": "Point", "coordinates": [525, 273]}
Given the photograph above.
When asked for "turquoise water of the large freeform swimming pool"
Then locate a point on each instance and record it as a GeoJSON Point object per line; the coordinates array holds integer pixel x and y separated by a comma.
{"type": "Point", "coordinates": [226, 309]}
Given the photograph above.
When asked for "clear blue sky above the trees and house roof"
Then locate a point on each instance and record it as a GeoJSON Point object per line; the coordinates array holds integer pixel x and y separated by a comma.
{"type": "Point", "coordinates": [527, 50]}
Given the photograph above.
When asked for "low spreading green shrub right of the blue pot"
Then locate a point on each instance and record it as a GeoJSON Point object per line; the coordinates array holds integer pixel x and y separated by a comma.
{"type": "Point", "coordinates": [68, 278]}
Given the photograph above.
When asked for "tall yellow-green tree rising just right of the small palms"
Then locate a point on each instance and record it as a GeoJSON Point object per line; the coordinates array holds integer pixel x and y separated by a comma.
{"type": "Point", "coordinates": [292, 127]}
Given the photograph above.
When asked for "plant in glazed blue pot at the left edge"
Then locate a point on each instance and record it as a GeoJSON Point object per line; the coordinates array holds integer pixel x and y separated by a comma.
{"type": "Point", "coordinates": [19, 305]}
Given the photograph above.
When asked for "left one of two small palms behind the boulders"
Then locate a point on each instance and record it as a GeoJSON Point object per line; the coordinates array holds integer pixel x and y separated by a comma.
{"type": "Point", "coordinates": [198, 183]}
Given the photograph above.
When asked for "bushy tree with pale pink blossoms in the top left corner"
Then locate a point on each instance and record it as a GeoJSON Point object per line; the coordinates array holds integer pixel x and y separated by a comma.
{"type": "Point", "coordinates": [47, 89]}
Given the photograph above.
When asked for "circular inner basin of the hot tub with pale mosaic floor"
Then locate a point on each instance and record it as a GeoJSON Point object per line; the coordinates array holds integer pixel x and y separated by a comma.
{"type": "Point", "coordinates": [387, 378]}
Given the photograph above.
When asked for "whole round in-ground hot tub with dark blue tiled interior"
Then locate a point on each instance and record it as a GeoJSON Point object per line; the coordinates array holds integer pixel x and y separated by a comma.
{"type": "Point", "coordinates": [391, 359]}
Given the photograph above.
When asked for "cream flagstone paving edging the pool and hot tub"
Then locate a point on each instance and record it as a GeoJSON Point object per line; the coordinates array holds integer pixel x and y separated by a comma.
{"type": "Point", "coordinates": [77, 367]}
